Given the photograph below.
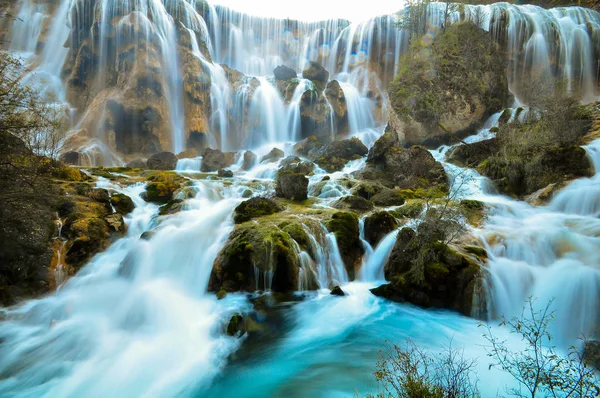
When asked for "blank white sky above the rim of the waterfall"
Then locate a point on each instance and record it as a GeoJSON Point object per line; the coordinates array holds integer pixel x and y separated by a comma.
{"type": "Point", "coordinates": [314, 10]}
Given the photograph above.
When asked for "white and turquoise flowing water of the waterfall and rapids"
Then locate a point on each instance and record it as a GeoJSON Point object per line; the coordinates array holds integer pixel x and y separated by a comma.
{"type": "Point", "coordinates": [138, 321]}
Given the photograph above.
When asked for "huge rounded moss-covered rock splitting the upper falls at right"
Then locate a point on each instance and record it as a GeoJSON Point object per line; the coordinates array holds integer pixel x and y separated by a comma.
{"type": "Point", "coordinates": [448, 87]}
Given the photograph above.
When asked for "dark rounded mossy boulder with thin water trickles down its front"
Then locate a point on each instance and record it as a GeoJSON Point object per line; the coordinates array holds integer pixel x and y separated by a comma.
{"type": "Point", "coordinates": [256, 257]}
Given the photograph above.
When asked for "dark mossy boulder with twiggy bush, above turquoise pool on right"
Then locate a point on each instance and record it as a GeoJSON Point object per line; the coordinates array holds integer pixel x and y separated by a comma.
{"type": "Point", "coordinates": [429, 273]}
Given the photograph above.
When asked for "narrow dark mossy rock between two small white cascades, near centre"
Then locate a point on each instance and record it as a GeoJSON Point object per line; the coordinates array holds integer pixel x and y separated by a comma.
{"type": "Point", "coordinates": [345, 227]}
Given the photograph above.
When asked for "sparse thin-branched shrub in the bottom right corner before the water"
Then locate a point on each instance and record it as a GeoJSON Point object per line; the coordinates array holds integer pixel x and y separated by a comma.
{"type": "Point", "coordinates": [539, 369]}
